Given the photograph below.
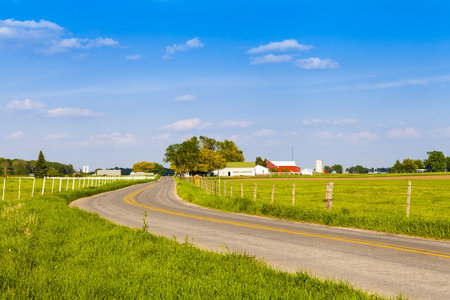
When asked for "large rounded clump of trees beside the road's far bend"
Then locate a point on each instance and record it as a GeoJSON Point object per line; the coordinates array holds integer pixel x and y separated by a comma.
{"type": "Point", "coordinates": [201, 155]}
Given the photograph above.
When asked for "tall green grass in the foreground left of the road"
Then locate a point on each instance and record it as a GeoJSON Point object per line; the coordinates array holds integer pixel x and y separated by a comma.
{"type": "Point", "coordinates": [48, 250]}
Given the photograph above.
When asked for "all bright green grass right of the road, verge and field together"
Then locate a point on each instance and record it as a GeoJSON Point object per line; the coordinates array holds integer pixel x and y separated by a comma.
{"type": "Point", "coordinates": [369, 204]}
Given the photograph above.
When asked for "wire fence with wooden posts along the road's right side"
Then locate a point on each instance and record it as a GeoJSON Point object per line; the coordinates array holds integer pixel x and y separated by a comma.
{"type": "Point", "coordinates": [384, 197]}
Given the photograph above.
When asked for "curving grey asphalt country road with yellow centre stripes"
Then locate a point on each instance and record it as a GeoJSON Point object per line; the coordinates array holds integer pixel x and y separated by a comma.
{"type": "Point", "coordinates": [386, 264]}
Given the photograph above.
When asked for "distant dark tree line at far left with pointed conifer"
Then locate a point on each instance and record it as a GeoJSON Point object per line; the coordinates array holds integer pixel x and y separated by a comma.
{"type": "Point", "coordinates": [21, 167]}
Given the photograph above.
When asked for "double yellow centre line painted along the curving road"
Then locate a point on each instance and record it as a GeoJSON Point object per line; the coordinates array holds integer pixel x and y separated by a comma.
{"type": "Point", "coordinates": [130, 199]}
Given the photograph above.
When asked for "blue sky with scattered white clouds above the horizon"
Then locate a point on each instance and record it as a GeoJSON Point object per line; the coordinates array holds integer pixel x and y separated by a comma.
{"type": "Point", "coordinates": [111, 83]}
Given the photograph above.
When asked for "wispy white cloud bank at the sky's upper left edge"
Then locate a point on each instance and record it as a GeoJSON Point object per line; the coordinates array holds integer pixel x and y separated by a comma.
{"type": "Point", "coordinates": [45, 37]}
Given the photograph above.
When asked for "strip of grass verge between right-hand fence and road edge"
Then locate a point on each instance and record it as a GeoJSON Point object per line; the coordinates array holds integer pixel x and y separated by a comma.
{"type": "Point", "coordinates": [380, 221]}
